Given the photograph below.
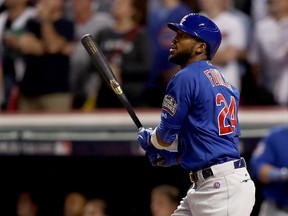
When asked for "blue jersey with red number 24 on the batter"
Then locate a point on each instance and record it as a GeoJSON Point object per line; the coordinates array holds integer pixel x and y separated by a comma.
{"type": "Point", "coordinates": [200, 109]}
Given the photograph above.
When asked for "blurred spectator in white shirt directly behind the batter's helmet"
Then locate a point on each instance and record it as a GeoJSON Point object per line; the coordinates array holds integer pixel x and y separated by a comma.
{"type": "Point", "coordinates": [234, 38]}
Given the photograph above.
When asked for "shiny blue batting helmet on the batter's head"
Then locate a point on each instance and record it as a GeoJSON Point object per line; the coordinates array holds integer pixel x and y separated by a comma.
{"type": "Point", "coordinates": [201, 27]}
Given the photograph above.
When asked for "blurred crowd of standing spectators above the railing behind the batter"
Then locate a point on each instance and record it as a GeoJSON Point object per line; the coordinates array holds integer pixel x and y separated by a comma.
{"type": "Point", "coordinates": [44, 66]}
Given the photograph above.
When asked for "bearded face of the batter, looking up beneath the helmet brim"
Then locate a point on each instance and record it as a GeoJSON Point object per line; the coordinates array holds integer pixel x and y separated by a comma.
{"type": "Point", "coordinates": [184, 49]}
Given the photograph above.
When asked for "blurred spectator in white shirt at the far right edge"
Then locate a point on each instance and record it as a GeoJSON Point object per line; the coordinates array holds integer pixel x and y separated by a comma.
{"type": "Point", "coordinates": [269, 55]}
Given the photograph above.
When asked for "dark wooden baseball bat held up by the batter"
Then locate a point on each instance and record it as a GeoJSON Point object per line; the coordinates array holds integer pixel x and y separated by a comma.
{"type": "Point", "coordinates": [101, 64]}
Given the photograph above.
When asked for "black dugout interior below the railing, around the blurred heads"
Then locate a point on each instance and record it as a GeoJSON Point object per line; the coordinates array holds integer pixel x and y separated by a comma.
{"type": "Point", "coordinates": [124, 182]}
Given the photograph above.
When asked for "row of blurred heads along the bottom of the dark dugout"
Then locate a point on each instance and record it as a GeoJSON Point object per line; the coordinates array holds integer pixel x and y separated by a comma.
{"type": "Point", "coordinates": [162, 201]}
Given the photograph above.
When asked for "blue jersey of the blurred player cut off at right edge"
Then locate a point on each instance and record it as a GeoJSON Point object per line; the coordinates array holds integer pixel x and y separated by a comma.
{"type": "Point", "coordinates": [272, 149]}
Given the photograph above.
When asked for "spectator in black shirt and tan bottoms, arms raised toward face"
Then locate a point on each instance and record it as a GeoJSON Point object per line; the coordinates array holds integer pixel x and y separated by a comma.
{"type": "Point", "coordinates": [47, 45]}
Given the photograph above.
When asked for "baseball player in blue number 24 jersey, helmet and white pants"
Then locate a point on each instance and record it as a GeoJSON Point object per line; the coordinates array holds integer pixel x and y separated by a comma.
{"type": "Point", "coordinates": [200, 113]}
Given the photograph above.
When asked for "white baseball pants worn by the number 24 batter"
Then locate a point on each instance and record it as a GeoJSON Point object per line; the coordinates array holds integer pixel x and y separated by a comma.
{"type": "Point", "coordinates": [229, 192]}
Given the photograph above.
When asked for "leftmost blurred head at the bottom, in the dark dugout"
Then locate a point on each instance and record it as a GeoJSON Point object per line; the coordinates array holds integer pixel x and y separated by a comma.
{"type": "Point", "coordinates": [26, 205]}
